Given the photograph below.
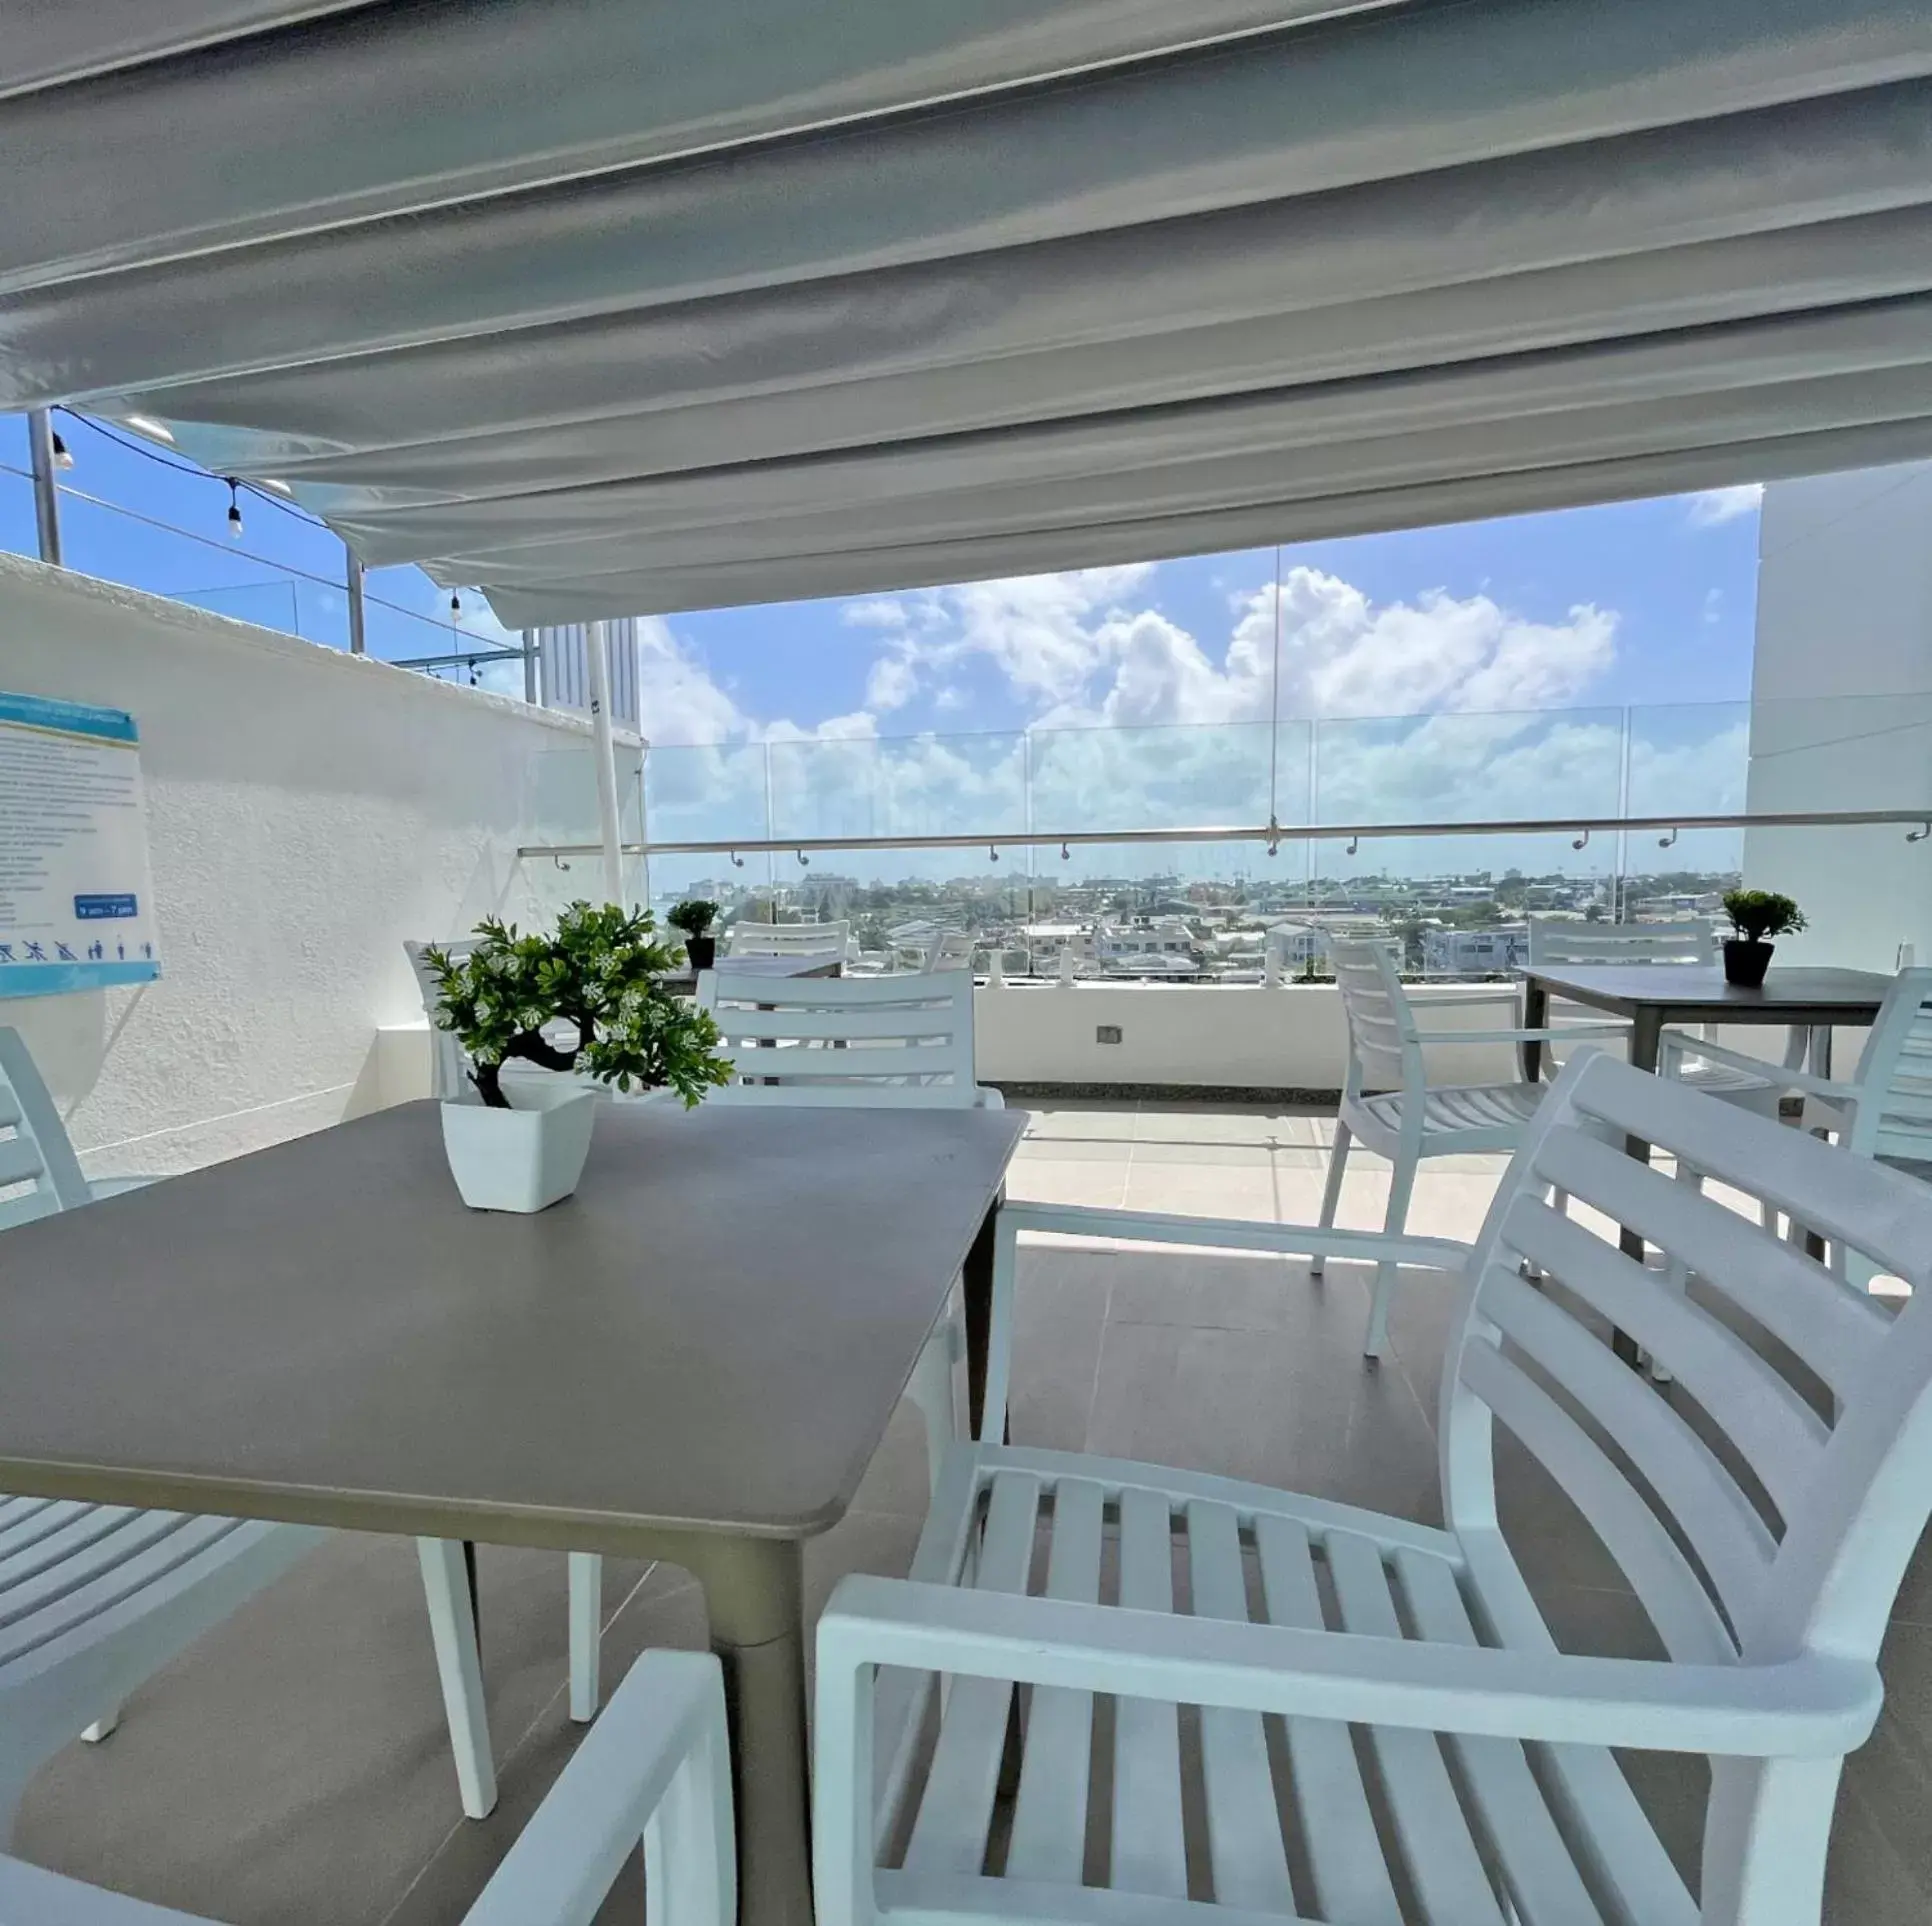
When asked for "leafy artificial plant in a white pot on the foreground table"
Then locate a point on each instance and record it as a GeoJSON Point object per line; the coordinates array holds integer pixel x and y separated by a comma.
{"type": "Point", "coordinates": [598, 975]}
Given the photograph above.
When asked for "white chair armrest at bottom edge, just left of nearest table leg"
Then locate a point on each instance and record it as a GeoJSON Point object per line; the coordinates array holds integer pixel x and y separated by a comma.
{"type": "Point", "coordinates": [666, 1720]}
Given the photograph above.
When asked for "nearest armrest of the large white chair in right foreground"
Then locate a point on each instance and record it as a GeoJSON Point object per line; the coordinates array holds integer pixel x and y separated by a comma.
{"type": "Point", "coordinates": [1798, 1709]}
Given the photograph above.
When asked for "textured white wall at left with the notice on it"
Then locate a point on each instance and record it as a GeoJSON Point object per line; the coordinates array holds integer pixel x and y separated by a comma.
{"type": "Point", "coordinates": [306, 814]}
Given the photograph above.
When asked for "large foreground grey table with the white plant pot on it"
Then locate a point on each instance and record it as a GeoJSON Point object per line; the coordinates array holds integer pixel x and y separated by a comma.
{"type": "Point", "coordinates": [693, 1359]}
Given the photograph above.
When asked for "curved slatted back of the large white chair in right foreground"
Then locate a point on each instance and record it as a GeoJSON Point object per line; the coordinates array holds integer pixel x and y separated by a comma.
{"type": "Point", "coordinates": [1749, 1523]}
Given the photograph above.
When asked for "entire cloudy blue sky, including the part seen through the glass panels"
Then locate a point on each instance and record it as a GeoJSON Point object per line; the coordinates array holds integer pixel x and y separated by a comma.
{"type": "Point", "coordinates": [897, 714]}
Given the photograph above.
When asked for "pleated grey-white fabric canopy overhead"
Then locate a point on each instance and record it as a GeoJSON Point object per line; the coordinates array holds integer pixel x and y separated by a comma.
{"type": "Point", "coordinates": [619, 308]}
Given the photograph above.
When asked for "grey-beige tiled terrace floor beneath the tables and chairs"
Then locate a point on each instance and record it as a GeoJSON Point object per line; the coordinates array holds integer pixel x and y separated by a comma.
{"type": "Point", "coordinates": [293, 1769]}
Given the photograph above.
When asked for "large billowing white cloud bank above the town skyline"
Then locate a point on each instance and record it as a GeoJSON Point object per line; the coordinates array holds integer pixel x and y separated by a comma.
{"type": "Point", "coordinates": [1427, 702]}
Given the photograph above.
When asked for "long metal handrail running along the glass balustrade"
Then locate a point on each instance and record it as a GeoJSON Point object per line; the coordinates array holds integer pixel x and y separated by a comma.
{"type": "Point", "coordinates": [1272, 834]}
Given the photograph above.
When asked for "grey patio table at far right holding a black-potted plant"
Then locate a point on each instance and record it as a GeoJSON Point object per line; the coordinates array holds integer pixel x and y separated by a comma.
{"type": "Point", "coordinates": [1659, 996]}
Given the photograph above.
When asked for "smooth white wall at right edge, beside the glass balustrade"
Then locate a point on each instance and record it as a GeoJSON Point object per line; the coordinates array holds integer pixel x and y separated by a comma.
{"type": "Point", "coordinates": [1842, 708]}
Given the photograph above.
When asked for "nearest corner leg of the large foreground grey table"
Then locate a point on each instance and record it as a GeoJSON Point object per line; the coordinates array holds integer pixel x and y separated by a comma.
{"type": "Point", "coordinates": [754, 1599]}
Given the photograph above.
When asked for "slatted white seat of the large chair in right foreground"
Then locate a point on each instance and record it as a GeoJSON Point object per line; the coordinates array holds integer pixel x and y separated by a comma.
{"type": "Point", "coordinates": [1160, 1541]}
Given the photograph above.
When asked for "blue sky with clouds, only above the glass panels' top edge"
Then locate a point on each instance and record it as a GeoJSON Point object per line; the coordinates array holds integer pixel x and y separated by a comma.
{"type": "Point", "coordinates": [1630, 604]}
